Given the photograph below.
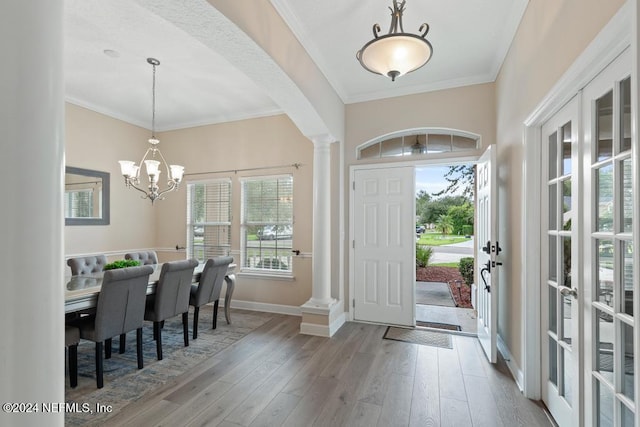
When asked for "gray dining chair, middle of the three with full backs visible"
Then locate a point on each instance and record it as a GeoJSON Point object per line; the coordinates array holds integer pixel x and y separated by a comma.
{"type": "Point", "coordinates": [171, 298]}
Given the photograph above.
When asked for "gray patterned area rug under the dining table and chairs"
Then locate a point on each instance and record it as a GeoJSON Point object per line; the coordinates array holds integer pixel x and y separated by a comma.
{"type": "Point", "coordinates": [124, 383]}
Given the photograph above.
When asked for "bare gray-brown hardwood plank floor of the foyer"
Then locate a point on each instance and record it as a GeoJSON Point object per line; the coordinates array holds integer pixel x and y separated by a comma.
{"type": "Point", "coordinates": [277, 377]}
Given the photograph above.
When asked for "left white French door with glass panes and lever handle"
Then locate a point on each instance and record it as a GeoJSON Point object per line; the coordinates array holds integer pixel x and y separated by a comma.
{"type": "Point", "coordinates": [561, 280]}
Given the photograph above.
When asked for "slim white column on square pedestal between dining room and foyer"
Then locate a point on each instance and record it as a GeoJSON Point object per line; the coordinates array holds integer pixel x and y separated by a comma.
{"type": "Point", "coordinates": [321, 315]}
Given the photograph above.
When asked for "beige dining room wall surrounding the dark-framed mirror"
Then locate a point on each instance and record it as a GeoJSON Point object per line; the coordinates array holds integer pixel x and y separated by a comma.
{"type": "Point", "coordinates": [95, 141]}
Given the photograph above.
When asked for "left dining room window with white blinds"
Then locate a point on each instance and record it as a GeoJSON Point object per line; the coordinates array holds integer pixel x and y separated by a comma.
{"type": "Point", "coordinates": [208, 219]}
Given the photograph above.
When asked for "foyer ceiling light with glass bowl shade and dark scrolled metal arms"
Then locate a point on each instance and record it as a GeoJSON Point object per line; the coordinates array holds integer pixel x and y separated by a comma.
{"type": "Point", "coordinates": [396, 53]}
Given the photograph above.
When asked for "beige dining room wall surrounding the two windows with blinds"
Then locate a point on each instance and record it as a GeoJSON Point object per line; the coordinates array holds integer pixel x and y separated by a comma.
{"type": "Point", "coordinates": [264, 142]}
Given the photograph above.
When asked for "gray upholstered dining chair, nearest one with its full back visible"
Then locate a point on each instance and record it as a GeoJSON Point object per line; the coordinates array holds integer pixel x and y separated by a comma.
{"type": "Point", "coordinates": [120, 309]}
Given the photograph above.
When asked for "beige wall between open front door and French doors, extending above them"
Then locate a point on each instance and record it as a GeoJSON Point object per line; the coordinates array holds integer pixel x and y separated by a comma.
{"type": "Point", "coordinates": [550, 37]}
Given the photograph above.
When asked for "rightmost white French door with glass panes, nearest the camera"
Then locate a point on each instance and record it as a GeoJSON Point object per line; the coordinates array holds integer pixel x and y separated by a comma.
{"type": "Point", "coordinates": [608, 248]}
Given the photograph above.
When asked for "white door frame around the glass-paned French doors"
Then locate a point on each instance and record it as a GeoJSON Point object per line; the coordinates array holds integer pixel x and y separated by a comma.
{"type": "Point", "coordinates": [612, 40]}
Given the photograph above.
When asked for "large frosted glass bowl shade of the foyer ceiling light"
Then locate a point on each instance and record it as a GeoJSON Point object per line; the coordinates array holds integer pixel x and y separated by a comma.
{"type": "Point", "coordinates": [395, 55]}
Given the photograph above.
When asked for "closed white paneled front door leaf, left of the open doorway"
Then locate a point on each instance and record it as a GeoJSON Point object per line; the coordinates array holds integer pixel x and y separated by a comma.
{"type": "Point", "coordinates": [384, 245]}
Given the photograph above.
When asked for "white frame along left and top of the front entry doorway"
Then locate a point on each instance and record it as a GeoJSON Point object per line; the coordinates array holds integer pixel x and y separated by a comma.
{"type": "Point", "coordinates": [439, 161]}
